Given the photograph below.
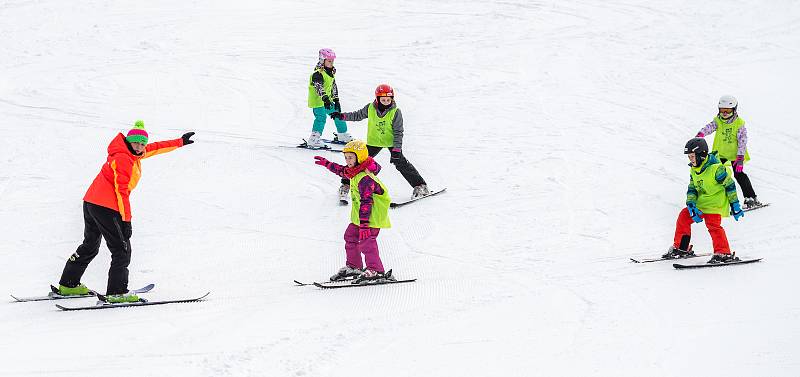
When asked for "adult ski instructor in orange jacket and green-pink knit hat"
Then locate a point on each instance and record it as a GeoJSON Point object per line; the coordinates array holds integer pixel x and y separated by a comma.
{"type": "Point", "coordinates": [107, 212]}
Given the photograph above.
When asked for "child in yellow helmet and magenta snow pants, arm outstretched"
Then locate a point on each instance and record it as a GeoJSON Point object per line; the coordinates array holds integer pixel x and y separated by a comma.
{"type": "Point", "coordinates": [369, 214]}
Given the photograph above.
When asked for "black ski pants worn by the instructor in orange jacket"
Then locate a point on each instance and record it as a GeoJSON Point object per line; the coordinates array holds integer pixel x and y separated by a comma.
{"type": "Point", "coordinates": [99, 221]}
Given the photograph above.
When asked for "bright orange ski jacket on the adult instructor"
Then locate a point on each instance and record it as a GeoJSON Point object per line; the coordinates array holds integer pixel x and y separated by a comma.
{"type": "Point", "coordinates": [119, 175]}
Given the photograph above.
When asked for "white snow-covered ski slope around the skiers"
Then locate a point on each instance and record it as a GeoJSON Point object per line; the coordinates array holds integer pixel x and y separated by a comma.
{"type": "Point", "coordinates": [557, 127]}
